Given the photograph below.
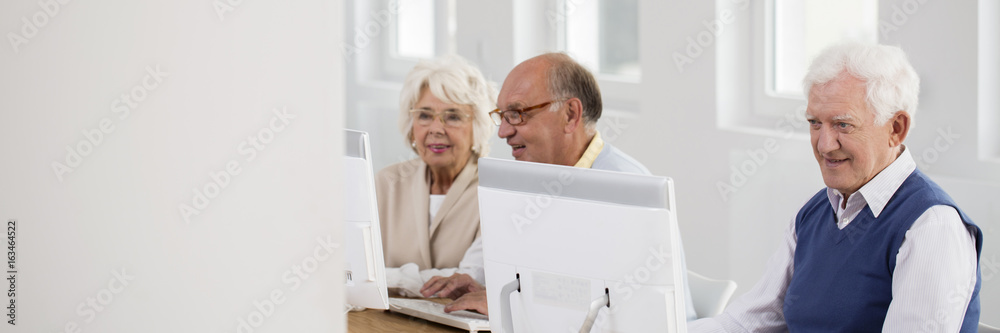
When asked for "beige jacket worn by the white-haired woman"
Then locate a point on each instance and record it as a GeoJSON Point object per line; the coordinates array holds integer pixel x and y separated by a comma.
{"type": "Point", "coordinates": [403, 192]}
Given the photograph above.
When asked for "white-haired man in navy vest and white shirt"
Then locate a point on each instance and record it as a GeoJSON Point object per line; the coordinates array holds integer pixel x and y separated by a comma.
{"type": "Point", "coordinates": [882, 247]}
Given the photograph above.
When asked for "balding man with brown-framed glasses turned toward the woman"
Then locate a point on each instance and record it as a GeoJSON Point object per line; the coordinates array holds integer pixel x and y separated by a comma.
{"type": "Point", "coordinates": [548, 111]}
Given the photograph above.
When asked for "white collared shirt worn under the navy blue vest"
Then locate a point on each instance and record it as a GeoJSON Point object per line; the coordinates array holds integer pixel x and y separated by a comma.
{"type": "Point", "coordinates": [932, 283]}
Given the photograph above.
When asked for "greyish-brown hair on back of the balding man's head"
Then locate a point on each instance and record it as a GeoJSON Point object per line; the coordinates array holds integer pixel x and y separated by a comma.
{"type": "Point", "coordinates": [568, 79]}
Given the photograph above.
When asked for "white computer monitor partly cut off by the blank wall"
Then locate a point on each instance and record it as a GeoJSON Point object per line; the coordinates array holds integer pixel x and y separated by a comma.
{"type": "Point", "coordinates": [364, 265]}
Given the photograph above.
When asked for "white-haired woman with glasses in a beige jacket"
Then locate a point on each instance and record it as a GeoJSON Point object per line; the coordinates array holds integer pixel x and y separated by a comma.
{"type": "Point", "coordinates": [428, 206]}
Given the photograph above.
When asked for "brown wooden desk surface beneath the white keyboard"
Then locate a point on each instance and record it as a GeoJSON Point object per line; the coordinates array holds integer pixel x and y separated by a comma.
{"type": "Point", "coordinates": [377, 321]}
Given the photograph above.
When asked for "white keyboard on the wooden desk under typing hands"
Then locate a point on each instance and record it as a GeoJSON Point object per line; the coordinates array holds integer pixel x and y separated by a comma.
{"type": "Point", "coordinates": [431, 311]}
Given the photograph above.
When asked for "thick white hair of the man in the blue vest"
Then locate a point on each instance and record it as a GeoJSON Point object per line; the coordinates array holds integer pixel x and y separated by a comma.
{"type": "Point", "coordinates": [891, 84]}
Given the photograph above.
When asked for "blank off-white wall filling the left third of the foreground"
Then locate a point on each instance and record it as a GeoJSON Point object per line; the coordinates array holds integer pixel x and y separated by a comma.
{"type": "Point", "coordinates": [119, 208]}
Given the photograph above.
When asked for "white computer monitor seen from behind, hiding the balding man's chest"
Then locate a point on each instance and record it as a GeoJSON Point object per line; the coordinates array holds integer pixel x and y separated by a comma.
{"type": "Point", "coordinates": [565, 237]}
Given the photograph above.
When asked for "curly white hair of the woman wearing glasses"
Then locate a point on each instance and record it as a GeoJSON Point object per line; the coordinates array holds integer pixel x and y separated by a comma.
{"type": "Point", "coordinates": [452, 80]}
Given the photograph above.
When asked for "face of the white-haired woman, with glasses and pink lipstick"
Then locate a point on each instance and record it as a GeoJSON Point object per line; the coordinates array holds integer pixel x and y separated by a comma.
{"type": "Point", "coordinates": [442, 132]}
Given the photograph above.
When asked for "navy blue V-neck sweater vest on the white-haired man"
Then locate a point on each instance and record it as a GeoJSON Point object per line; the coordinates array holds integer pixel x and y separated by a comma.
{"type": "Point", "coordinates": [842, 279]}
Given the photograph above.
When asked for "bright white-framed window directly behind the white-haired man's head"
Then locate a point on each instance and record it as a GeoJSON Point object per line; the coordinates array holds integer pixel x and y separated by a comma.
{"type": "Point", "coordinates": [763, 57]}
